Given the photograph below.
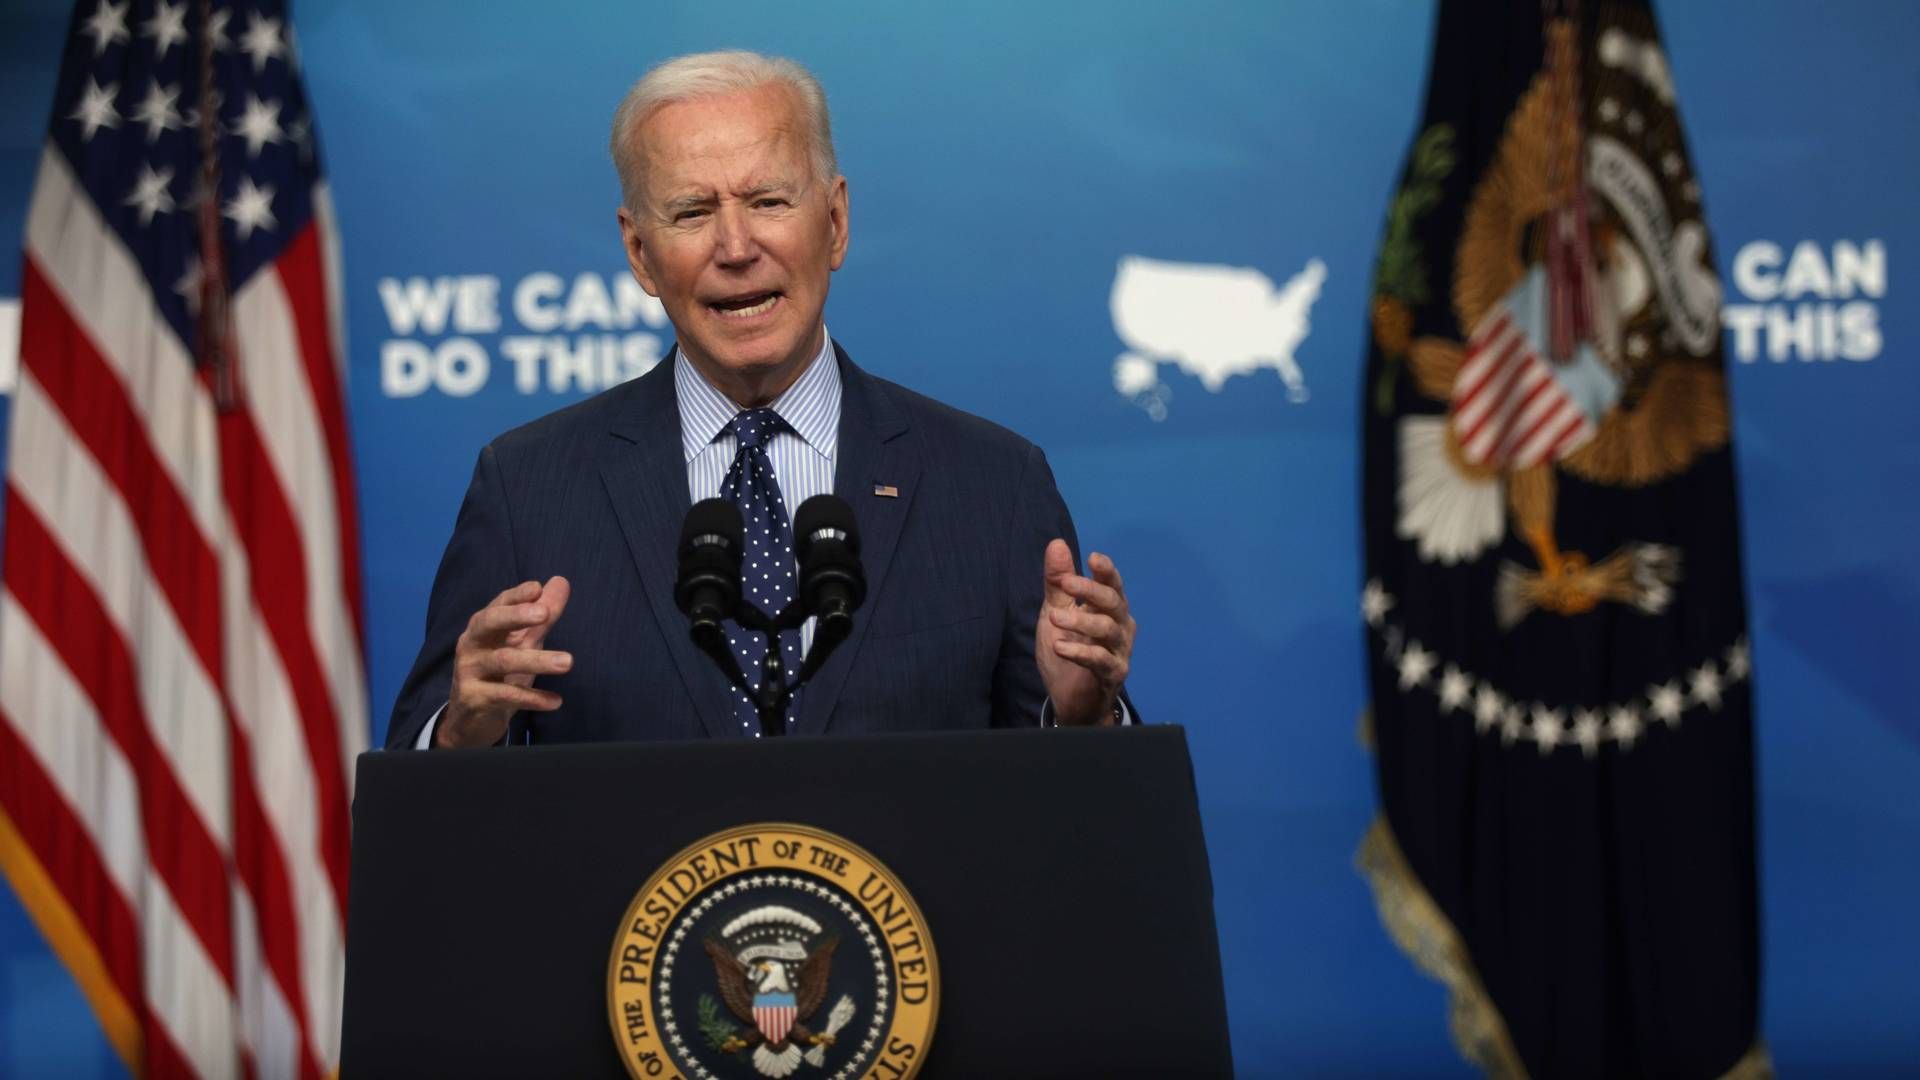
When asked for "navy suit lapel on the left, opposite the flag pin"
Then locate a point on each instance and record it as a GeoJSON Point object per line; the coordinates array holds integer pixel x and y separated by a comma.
{"type": "Point", "coordinates": [646, 476]}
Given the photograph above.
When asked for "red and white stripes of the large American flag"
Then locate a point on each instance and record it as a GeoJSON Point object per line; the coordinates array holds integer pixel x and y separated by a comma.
{"type": "Point", "coordinates": [181, 639]}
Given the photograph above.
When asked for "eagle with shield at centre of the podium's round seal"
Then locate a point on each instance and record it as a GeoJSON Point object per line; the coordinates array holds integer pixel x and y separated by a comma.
{"type": "Point", "coordinates": [775, 983]}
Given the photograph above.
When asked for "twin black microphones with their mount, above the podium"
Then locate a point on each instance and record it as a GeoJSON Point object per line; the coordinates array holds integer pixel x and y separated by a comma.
{"type": "Point", "coordinates": [832, 589]}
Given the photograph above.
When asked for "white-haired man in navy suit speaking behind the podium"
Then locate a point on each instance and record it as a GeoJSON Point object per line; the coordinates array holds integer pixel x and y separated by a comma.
{"type": "Point", "coordinates": [554, 599]}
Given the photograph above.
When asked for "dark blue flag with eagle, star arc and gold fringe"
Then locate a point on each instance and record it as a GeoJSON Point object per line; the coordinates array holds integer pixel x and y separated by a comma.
{"type": "Point", "coordinates": [1560, 668]}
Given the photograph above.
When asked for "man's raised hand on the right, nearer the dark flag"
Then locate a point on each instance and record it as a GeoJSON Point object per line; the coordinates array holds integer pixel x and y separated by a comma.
{"type": "Point", "coordinates": [1084, 641]}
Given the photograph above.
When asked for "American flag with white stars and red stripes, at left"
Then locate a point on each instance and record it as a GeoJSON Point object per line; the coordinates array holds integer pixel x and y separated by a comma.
{"type": "Point", "coordinates": [181, 677]}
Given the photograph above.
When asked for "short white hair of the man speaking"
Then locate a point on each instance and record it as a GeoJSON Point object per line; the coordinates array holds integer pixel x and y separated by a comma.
{"type": "Point", "coordinates": [711, 76]}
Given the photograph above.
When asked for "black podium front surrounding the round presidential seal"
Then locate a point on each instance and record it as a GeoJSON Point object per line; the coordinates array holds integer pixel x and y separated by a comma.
{"type": "Point", "coordinates": [1061, 873]}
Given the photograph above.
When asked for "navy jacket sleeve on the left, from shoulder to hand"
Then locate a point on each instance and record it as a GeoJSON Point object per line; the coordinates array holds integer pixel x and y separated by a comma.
{"type": "Point", "coordinates": [477, 566]}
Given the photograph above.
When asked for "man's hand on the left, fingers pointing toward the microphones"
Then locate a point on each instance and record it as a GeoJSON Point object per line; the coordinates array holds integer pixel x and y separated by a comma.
{"type": "Point", "coordinates": [496, 662]}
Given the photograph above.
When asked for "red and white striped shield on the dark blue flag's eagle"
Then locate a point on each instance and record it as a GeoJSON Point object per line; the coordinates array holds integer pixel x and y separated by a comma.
{"type": "Point", "coordinates": [1510, 412]}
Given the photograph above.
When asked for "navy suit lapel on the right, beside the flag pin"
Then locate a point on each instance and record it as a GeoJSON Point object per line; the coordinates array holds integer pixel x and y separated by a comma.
{"type": "Point", "coordinates": [873, 451]}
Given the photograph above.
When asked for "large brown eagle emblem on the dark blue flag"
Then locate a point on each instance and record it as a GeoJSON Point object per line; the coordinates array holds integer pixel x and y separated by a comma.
{"type": "Point", "coordinates": [1591, 305]}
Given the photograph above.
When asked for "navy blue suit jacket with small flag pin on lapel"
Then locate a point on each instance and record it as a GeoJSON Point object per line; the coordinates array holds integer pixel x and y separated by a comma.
{"type": "Point", "coordinates": [598, 493]}
